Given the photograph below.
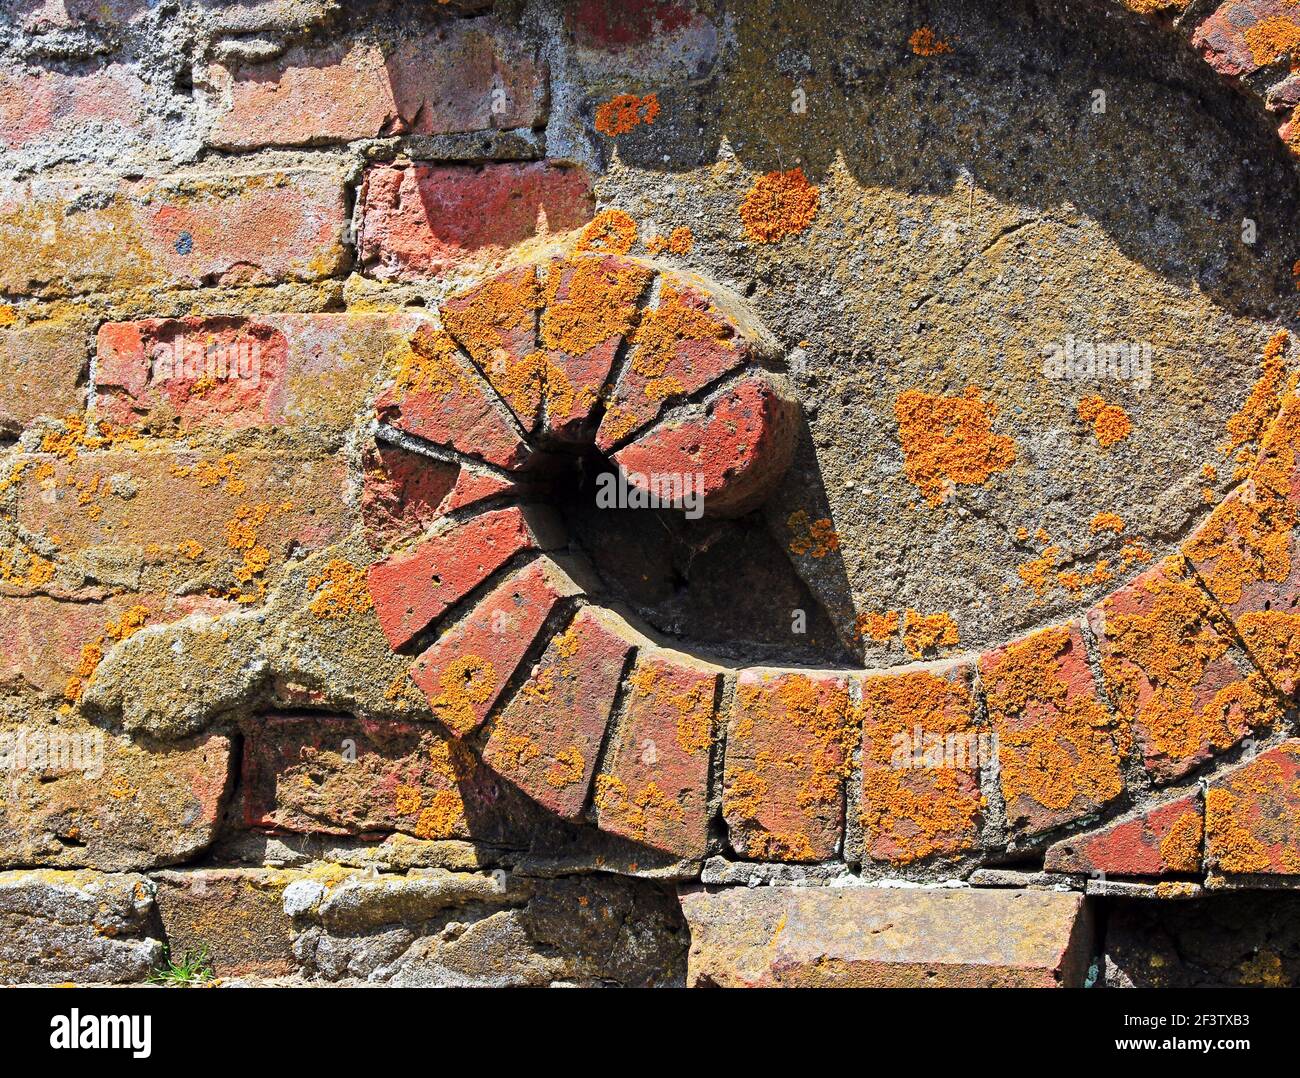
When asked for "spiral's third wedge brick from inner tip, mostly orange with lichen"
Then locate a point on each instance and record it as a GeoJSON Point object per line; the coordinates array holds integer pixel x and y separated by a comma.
{"type": "Point", "coordinates": [592, 305]}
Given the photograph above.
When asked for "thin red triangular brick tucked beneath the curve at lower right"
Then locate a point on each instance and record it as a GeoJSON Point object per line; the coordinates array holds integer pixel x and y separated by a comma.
{"type": "Point", "coordinates": [1154, 843]}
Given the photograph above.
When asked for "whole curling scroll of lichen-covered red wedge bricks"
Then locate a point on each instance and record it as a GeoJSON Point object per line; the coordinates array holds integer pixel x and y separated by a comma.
{"type": "Point", "coordinates": [518, 655]}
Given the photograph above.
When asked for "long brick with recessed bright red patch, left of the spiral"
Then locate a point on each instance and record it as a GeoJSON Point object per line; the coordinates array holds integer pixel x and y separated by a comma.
{"type": "Point", "coordinates": [302, 371]}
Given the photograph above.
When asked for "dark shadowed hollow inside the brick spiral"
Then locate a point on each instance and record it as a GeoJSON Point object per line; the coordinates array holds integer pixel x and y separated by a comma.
{"type": "Point", "coordinates": [721, 587]}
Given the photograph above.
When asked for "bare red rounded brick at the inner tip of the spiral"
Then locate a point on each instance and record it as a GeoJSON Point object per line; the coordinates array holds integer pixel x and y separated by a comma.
{"type": "Point", "coordinates": [735, 449]}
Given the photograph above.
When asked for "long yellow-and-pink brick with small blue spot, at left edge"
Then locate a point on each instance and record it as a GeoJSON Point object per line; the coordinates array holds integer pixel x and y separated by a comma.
{"type": "Point", "coordinates": [77, 236]}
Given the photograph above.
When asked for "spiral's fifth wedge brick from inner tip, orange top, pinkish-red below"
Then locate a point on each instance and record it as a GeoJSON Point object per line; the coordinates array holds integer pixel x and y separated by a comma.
{"type": "Point", "coordinates": [436, 399]}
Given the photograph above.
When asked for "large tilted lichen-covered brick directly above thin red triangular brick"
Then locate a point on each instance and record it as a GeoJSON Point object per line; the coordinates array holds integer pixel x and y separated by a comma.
{"type": "Point", "coordinates": [1175, 674]}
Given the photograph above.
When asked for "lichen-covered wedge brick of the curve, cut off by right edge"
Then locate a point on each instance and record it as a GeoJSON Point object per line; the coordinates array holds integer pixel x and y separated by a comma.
{"type": "Point", "coordinates": [1247, 556]}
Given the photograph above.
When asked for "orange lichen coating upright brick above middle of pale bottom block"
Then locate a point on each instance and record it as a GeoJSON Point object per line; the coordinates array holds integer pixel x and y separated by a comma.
{"type": "Point", "coordinates": [911, 815]}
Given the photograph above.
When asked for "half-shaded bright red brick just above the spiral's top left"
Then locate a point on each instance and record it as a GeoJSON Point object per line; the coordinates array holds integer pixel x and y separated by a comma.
{"type": "Point", "coordinates": [424, 220]}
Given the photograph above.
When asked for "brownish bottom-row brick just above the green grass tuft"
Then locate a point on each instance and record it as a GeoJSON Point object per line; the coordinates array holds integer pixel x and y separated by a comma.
{"type": "Point", "coordinates": [236, 916]}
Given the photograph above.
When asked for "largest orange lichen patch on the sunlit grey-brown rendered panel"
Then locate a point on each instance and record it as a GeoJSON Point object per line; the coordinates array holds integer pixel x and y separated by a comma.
{"type": "Point", "coordinates": [948, 441]}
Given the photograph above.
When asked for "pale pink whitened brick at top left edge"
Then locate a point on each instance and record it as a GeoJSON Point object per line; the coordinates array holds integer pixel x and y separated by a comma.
{"type": "Point", "coordinates": [40, 109]}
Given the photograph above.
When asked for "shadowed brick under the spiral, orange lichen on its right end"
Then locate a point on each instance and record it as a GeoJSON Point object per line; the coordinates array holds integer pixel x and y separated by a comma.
{"type": "Point", "coordinates": [339, 776]}
